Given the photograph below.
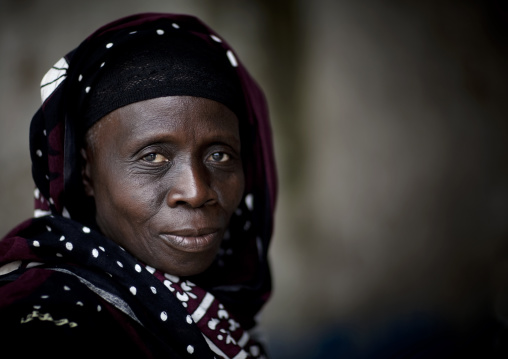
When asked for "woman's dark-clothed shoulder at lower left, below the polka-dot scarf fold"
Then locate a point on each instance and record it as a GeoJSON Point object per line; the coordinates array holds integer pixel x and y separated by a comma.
{"type": "Point", "coordinates": [44, 311]}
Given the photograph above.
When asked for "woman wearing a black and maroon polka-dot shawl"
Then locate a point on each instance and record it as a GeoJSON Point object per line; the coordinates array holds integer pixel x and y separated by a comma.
{"type": "Point", "coordinates": [155, 192]}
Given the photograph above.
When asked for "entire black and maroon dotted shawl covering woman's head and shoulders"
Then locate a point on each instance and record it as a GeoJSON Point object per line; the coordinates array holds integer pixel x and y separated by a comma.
{"type": "Point", "coordinates": [61, 278]}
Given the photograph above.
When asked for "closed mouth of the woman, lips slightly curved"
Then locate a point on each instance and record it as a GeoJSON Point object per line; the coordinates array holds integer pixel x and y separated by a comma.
{"type": "Point", "coordinates": [193, 241]}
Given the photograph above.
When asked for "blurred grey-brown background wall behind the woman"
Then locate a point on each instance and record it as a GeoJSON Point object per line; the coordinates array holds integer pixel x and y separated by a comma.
{"type": "Point", "coordinates": [390, 126]}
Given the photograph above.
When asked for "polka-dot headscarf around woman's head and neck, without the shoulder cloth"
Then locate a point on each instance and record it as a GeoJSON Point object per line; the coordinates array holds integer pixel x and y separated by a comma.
{"type": "Point", "coordinates": [237, 284]}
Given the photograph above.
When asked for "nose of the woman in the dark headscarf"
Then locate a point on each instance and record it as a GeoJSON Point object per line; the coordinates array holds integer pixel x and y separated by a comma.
{"type": "Point", "coordinates": [190, 186]}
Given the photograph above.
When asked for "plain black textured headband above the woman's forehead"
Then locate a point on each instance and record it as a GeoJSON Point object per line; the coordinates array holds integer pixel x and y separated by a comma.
{"type": "Point", "coordinates": [161, 63]}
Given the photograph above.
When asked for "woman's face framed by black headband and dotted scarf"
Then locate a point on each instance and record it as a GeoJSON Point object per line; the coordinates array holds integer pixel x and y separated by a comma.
{"type": "Point", "coordinates": [166, 175]}
